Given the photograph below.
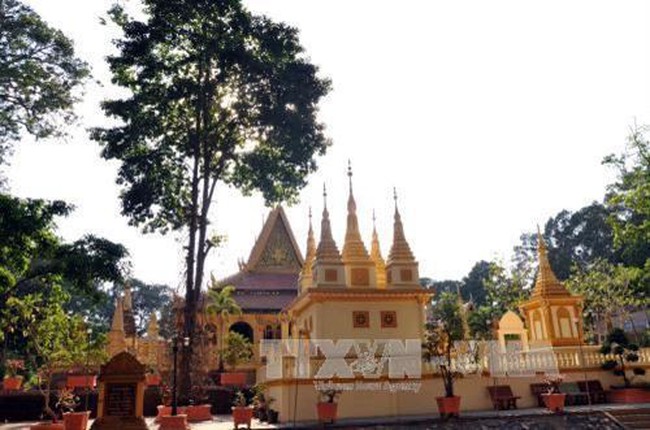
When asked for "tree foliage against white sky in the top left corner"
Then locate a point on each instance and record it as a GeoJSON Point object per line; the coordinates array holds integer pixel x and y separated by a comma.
{"type": "Point", "coordinates": [39, 76]}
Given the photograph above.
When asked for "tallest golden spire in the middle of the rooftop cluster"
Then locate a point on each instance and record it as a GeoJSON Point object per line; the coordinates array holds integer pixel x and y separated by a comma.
{"type": "Point", "coordinates": [360, 270]}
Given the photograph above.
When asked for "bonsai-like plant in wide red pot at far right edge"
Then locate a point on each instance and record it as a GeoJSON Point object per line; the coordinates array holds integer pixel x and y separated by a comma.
{"type": "Point", "coordinates": [621, 354]}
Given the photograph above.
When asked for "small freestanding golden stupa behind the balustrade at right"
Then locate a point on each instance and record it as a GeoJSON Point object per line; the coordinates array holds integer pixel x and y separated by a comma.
{"type": "Point", "coordinates": [553, 315]}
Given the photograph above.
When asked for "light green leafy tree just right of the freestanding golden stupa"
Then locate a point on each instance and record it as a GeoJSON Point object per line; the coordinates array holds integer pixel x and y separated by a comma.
{"type": "Point", "coordinates": [608, 291]}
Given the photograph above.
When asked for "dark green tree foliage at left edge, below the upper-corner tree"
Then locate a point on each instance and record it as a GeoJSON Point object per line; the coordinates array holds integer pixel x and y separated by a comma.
{"type": "Point", "coordinates": [39, 271]}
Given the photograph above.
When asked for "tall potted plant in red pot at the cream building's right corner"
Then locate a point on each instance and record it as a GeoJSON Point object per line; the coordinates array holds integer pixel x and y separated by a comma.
{"type": "Point", "coordinates": [439, 347]}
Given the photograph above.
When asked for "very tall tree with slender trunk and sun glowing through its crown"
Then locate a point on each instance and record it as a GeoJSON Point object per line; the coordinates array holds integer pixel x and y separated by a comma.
{"type": "Point", "coordinates": [216, 94]}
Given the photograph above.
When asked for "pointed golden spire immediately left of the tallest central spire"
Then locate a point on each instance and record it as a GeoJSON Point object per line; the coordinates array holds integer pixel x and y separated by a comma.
{"type": "Point", "coordinates": [328, 269]}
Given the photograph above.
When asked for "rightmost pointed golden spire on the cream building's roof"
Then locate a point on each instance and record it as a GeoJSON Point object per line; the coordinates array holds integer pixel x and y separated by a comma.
{"type": "Point", "coordinates": [401, 268]}
